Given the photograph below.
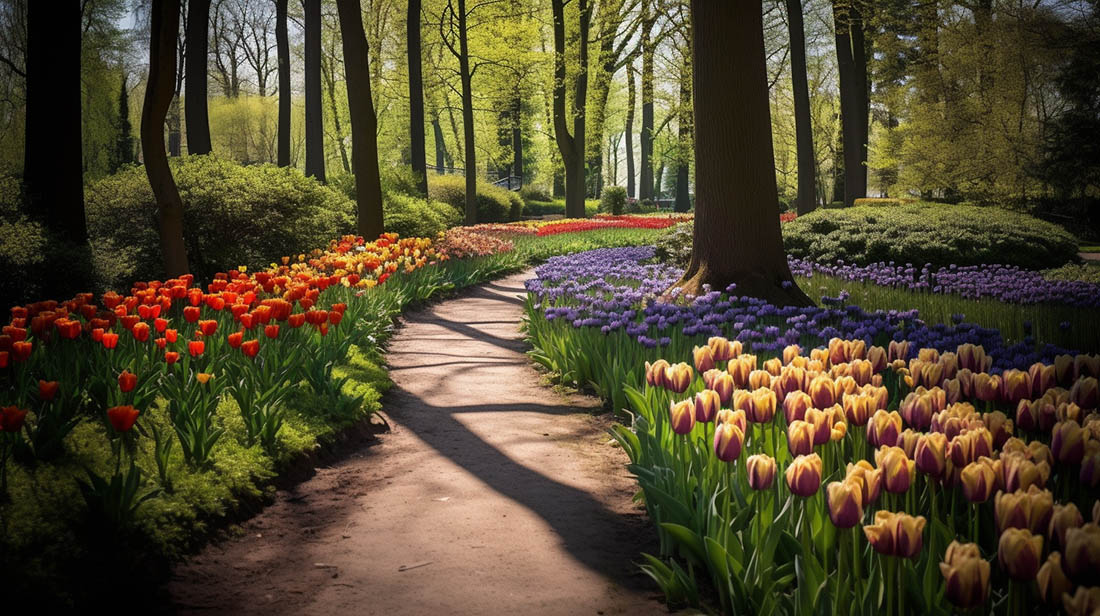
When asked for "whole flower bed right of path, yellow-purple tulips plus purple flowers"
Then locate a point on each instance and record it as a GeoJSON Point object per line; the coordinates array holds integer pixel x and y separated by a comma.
{"type": "Point", "coordinates": [893, 469]}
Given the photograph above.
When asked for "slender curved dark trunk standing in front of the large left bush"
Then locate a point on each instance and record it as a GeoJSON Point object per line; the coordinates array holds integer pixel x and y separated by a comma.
{"type": "Point", "coordinates": [164, 30]}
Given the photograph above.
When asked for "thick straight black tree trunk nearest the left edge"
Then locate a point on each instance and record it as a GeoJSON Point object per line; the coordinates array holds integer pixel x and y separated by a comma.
{"type": "Point", "coordinates": [53, 160]}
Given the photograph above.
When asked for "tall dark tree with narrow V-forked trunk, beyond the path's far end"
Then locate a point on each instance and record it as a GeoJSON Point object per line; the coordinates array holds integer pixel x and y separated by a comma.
{"type": "Point", "coordinates": [571, 146]}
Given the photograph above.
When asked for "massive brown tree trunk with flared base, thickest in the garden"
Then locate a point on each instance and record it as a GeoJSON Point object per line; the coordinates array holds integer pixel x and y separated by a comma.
{"type": "Point", "coordinates": [738, 236]}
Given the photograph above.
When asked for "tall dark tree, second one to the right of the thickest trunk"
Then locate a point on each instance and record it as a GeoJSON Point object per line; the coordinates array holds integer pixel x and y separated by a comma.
{"type": "Point", "coordinates": [852, 67]}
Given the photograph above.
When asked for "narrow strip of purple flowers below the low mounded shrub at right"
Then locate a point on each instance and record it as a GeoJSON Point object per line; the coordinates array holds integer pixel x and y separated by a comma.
{"type": "Point", "coordinates": [1005, 283]}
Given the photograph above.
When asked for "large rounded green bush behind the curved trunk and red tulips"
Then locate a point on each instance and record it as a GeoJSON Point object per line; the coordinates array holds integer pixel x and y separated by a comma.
{"type": "Point", "coordinates": [234, 215]}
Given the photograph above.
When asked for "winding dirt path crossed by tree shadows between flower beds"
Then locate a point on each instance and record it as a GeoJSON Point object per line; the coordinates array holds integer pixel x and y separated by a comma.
{"type": "Point", "coordinates": [490, 496]}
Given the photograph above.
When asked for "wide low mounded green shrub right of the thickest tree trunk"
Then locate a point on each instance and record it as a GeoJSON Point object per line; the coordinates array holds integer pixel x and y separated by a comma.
{"type": "Point", "coordinates": [933, 234]}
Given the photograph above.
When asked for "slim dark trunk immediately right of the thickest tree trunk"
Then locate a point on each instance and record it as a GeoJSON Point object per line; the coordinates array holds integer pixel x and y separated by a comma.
{"type": "Point", "coordinates": [804, 129]}
